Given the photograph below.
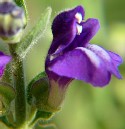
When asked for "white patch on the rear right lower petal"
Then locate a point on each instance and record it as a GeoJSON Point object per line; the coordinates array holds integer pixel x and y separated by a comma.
{"type": "Point", "coordinates": [99, 51]}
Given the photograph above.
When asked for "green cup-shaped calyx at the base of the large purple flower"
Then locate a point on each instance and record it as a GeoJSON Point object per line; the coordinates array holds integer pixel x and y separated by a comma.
{"type": "Point", "coordinates": [39, 93]}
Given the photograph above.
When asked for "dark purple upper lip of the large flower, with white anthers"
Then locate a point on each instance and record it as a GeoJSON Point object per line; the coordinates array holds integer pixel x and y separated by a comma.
{"type": "Point", "coordinates": [68, 28]}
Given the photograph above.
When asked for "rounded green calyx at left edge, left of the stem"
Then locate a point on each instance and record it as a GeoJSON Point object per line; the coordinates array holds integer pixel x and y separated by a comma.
{"type": "Point", "coordinates": [7, 94]}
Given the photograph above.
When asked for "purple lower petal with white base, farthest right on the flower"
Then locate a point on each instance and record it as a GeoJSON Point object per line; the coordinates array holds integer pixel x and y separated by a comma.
{"type": "Point", "coordinates": [110, 59]}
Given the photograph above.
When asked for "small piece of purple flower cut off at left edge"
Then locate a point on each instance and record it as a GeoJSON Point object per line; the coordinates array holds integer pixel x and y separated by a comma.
{"type": "Point", "coordinates": [4, 60]}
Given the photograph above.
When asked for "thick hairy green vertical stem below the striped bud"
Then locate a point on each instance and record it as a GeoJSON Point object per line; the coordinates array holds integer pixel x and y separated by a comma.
{"type": "Point", "coordinates": [19, 84]}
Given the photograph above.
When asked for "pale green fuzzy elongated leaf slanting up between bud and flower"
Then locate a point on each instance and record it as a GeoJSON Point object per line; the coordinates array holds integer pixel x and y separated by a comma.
{"type": "Point", "coordinates": [35, 34]}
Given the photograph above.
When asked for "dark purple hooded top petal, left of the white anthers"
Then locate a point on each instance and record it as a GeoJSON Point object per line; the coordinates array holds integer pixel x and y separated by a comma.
{"type": "Point", "coordinates": [64, 28]}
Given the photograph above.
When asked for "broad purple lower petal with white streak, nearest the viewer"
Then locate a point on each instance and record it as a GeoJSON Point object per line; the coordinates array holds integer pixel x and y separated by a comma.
{"type": "Point", "coordinates": [81, 64]}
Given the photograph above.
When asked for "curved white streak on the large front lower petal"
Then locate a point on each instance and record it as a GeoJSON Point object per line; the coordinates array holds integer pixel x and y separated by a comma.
{"type": "Point", "coordinates": [91, 55]}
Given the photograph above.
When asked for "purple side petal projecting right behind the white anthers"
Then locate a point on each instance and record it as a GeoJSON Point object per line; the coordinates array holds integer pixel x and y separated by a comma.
{"type": "Point", "coordinates": [89, 29]}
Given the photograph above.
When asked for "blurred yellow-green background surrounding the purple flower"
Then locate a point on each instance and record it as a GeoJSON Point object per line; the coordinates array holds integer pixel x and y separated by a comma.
{"type": "Point", "coordinates": [85, 107]}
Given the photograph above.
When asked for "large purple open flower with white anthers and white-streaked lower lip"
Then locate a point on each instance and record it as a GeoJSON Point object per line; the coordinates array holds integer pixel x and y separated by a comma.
{"type": "Point", "coordinates": [71, 56]}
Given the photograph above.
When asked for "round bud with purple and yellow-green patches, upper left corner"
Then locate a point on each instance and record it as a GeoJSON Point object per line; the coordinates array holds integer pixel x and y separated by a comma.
{"type": "Point", "coordinates": [12, 21]}
